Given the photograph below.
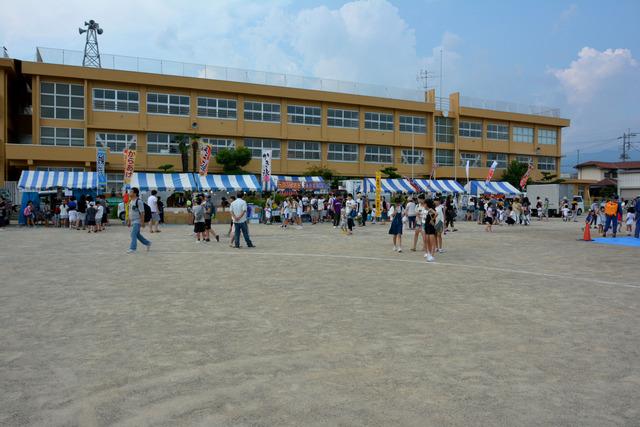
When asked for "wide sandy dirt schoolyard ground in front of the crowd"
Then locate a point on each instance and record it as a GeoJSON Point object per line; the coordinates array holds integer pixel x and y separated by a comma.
{"type": "Point", "coordinates": [523, 326]}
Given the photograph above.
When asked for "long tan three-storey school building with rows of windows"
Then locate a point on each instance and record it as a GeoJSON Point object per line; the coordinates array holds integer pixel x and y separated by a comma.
{"type": "Point", "coordinates": [55, 112]}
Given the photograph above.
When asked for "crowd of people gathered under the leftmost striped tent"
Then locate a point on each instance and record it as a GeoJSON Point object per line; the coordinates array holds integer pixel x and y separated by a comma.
{"type": "Point", "coordinates": [84, 213]}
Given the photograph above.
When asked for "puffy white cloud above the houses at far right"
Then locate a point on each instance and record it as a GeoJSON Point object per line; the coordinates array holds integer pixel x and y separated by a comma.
{"type": "Point", "coordinates": [593, 69]}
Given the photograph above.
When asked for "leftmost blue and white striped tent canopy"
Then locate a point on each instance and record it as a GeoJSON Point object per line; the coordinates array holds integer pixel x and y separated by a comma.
{"type": "Point", "coordinates": [45, 180]}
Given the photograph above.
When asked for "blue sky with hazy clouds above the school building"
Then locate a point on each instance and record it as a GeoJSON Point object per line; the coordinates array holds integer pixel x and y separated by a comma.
{"type": "Point", "coordinates": [580, 56]}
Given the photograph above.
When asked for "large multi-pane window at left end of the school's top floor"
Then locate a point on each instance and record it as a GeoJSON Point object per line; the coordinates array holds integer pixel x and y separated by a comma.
{"type": "Point", "coordinates": [61, 101]}
